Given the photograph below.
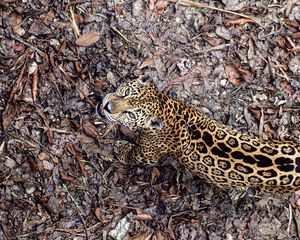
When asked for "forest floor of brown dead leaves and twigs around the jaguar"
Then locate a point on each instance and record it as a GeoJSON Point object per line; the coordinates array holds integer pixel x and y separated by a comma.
{"type": "Point", "coordinates": [58, 177]}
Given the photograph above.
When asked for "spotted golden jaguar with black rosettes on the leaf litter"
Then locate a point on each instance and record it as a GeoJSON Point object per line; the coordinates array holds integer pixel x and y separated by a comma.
{"type": "Point", "coordinates": [214, 151]}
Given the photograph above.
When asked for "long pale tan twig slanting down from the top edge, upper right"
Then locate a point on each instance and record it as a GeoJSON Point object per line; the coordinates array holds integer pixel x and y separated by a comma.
{"type": "Point", "coordinates": [190, 3]}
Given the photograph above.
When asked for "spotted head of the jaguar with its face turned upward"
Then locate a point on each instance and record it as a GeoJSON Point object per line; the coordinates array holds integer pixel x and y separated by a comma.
{"type": "Point", "coordinates": [137, 104]}
